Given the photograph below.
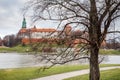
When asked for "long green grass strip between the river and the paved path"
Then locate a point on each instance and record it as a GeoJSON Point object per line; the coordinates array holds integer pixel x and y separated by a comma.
{"type": "Point", "coordinates": [31, 73]}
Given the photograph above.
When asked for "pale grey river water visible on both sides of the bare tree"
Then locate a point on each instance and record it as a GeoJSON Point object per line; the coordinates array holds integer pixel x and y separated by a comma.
{"type": "Point", "coordinates": [14, 60]}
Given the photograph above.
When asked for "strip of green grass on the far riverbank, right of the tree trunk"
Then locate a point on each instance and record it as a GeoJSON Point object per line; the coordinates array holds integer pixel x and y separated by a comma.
{"type": "Point", "coordinates": [109, 52]}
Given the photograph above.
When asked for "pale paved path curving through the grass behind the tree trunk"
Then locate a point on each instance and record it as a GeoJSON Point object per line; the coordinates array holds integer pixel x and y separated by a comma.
{"type": "Point", "coordinates": [72, 74]}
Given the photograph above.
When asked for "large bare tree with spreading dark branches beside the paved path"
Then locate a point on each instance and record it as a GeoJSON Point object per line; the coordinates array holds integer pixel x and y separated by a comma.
{"type": "Point", "coordinates": [94, 17]}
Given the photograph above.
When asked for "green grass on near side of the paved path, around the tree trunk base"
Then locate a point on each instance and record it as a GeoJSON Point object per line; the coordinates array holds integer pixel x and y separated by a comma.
{"type": "Point", "coordinates": [113, 74]}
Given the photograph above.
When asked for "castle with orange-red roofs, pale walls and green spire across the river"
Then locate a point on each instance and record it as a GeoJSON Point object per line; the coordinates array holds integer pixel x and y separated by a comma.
{"type": "Point", "coordinates": [34, 34]}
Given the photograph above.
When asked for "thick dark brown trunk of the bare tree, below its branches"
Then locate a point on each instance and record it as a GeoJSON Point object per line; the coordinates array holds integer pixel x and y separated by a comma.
{"type": "Point", "coordinates": [94, 64]}
